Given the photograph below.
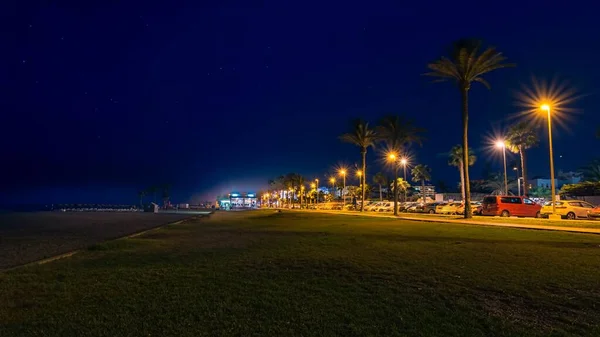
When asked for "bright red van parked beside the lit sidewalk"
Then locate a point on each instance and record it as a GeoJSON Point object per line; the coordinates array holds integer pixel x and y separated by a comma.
{"type": "Point", "coordinates": [510, 205]}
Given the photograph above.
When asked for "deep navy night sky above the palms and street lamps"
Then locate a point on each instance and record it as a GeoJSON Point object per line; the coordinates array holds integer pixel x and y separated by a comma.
{"type": "Point", "coordinates": [102, 98]}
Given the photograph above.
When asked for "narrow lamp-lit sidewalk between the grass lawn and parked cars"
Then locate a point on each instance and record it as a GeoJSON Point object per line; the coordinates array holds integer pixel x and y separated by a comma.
{"type": "Point", "coordinates": [465, 222]}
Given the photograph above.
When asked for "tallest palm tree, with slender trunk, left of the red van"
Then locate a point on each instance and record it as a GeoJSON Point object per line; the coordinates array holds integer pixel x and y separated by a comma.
{"type": "Point", "coordinates": [466, 65]}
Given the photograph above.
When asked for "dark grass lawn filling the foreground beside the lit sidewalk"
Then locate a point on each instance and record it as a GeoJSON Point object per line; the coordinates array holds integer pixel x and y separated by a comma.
{"type": "Point", "coordinates": [301, 274]}
